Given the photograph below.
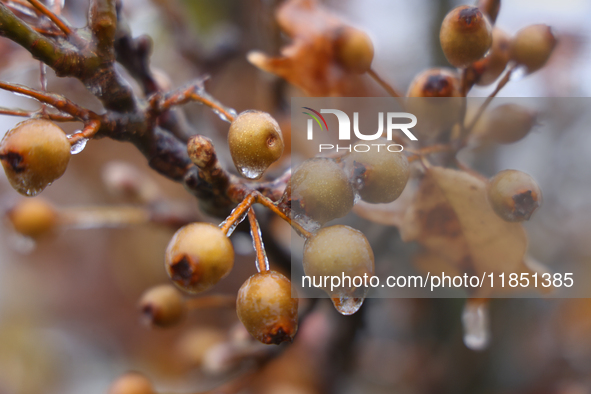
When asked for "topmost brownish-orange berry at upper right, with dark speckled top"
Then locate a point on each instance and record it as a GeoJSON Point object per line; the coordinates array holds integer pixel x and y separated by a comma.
{"type": "Point", "coordinates": [465, 35]}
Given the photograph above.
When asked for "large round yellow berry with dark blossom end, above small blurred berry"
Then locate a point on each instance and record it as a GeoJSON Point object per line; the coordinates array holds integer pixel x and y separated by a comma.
{"type": "Point", "coordinates": [198, 256]}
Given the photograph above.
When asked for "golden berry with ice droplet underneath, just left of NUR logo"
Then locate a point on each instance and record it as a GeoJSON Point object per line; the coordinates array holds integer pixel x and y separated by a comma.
{"type": "Point", "coordinates": [255, 142]}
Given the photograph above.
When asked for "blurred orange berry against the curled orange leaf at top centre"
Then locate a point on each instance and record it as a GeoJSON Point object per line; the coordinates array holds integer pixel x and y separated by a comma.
{"type": "Point", "coordinates": [353, 49]}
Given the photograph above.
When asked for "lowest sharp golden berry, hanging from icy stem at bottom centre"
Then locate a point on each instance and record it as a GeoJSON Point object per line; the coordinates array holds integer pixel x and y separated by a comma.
{"type": "Point", "coordinates": [266, 309]}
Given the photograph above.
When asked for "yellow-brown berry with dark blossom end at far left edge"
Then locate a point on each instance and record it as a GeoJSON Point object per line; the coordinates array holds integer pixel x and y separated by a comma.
{"type": "Point", "coordinates": [34, 154]}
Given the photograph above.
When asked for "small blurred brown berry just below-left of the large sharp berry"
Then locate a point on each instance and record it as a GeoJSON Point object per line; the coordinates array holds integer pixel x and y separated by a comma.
{"type": "Point", "coordinates": [162, 306]}
